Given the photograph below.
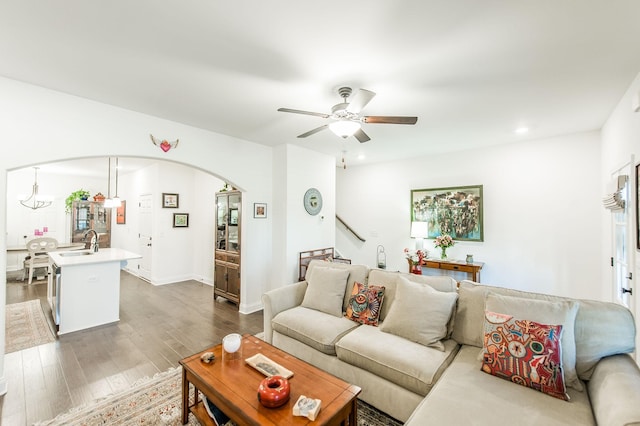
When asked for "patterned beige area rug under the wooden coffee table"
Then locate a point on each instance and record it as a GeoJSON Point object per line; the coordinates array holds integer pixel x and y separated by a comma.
{"type": "Point", "coordinates": [158, 401]}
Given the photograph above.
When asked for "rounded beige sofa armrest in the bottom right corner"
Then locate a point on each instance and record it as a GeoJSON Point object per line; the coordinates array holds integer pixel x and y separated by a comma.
{"type": "Point", "coordinates": [614, 390]}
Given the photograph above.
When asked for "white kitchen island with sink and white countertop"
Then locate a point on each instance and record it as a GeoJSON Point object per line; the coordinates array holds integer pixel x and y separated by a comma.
{"type": "Point", "coordinates": [85, 289]}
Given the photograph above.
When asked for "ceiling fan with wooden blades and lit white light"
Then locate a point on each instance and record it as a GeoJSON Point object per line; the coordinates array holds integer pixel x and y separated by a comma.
{"type": "Point", "coordinates": [346, 116]}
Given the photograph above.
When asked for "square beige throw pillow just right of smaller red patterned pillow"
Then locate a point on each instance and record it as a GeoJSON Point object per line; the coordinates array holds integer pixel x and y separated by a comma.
{"type": "Point", "coordinates": [420, 313]}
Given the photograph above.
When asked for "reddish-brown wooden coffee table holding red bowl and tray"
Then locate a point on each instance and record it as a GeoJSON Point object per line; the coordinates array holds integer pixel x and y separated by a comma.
{"type": "Point", "coordinates": [233, 387]}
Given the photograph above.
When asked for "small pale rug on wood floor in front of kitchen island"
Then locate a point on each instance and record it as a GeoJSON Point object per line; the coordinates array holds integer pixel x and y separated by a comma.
{"type": "Point", "coordinates": [26, 326]}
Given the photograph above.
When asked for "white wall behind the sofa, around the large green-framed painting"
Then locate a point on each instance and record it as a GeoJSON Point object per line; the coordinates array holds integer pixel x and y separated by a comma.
{"type": "Point", "coordinates": [542, 212]}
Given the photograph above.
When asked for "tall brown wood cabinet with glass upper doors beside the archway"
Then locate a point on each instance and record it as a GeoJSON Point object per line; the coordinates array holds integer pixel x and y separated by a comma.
{"type": "Point", "coordinates": [226, 277]}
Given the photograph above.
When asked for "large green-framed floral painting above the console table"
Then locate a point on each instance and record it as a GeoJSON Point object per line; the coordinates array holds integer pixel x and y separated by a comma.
{"type": "Point", "coordinates": [456, 211]}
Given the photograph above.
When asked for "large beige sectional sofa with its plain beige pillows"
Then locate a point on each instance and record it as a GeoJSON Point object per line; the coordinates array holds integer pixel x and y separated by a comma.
{"type": "Point", "coordinates": [422, 364]}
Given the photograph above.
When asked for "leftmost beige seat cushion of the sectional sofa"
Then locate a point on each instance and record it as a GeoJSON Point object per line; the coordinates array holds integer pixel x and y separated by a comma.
{"type": "Point", "coordinates": [312, 327]}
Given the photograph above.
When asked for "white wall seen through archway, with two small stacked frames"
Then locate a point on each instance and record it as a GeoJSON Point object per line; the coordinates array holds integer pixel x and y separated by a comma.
{"type": "Point", "coordinates": [178, 253]}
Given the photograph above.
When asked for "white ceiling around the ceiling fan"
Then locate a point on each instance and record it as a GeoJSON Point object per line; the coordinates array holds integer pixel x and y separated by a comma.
{"type": "Point", "coordinates": [472, 71]}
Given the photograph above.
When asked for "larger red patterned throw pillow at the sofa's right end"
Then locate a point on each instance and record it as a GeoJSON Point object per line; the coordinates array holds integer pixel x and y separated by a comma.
{"type": "Point", "coordinates": [524, 352]}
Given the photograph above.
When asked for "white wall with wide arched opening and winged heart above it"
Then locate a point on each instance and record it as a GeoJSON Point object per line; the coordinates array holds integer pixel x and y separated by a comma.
{"type": "Point", "coordinates": [42, 126]}
